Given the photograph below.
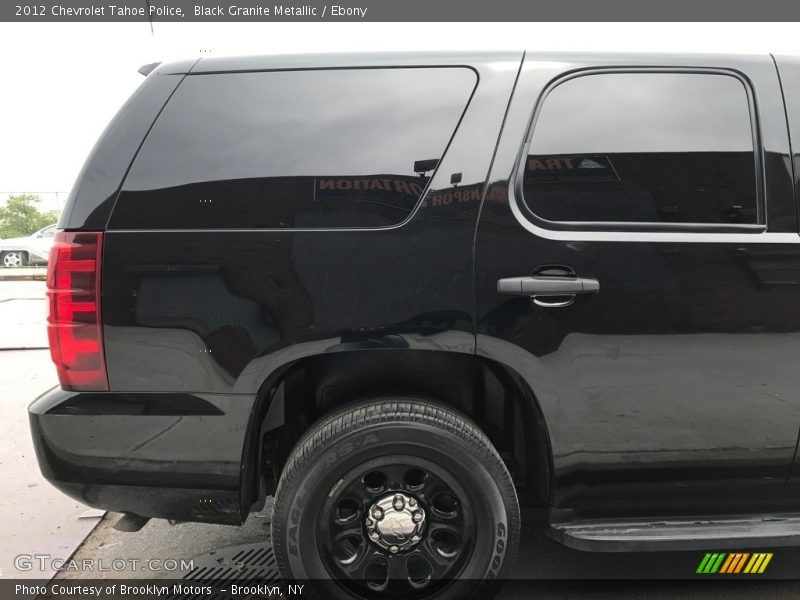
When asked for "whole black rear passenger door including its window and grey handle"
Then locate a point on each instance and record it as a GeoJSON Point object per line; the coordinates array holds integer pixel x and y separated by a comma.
{"type": "Point", "coordinates": [638, 263]}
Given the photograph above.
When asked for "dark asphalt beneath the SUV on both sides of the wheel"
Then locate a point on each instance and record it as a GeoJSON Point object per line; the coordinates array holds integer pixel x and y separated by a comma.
{"type": "Point", "coordinates": [544, 568]}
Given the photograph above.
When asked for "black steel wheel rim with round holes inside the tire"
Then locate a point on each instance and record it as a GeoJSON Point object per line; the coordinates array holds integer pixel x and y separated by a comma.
{"type": "Point", "coordinates": [392, 564]}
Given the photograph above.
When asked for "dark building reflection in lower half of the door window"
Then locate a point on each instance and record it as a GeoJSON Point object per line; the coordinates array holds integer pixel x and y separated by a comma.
{"type": "Point", "coordinates": [654, 187]}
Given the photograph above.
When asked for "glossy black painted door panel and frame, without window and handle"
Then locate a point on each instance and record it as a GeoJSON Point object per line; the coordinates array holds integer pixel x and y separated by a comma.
{"type": "Point", "coordinates": [671, 391]}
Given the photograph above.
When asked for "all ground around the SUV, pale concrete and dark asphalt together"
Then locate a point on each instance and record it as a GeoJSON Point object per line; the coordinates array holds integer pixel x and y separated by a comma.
{"type": "Point", "coordinates": [35, 515]}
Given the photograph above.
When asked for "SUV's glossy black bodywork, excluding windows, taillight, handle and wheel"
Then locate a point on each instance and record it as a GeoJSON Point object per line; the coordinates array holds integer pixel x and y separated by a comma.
{"type": "Point", "coordinates": [672, 391]}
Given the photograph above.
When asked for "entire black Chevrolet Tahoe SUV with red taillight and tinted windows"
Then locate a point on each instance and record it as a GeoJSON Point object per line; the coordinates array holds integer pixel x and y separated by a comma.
{"type": "Point", "coordinates": [408, 294]}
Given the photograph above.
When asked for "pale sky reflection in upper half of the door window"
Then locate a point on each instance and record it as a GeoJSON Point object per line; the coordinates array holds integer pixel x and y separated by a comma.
{"type": "Point", "coordinates": [644, 112]}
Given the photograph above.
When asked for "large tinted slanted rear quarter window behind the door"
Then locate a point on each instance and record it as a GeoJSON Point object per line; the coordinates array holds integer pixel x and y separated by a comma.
{"type": "Point", "coordinates": [294, 149]}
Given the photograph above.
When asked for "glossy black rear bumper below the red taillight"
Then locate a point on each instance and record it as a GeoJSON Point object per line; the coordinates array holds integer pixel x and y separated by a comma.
{"type": "Point", "coordinates": [175, 456]}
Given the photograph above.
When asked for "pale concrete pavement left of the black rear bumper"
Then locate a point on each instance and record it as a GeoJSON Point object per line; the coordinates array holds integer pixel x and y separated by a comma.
{"type": "Point", "coordinates": [36, 518]}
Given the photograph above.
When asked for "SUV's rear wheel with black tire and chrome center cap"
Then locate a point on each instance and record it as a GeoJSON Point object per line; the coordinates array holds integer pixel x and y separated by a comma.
{"type": "Point", "coordinates": [395, 498]}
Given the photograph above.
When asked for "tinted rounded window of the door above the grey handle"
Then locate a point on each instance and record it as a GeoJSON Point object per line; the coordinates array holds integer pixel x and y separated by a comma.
{"type": "Point", "coordinates": [644, 147]}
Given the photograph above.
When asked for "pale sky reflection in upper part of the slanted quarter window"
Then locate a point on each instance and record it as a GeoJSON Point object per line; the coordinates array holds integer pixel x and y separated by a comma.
{"type": "Point", "coordinates": [301, 123]}
